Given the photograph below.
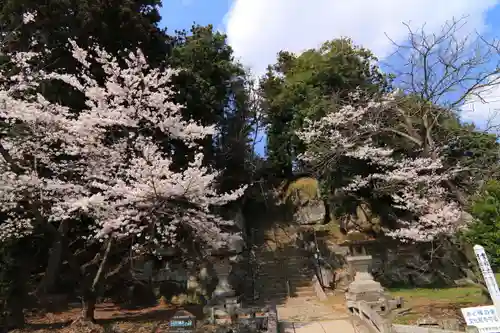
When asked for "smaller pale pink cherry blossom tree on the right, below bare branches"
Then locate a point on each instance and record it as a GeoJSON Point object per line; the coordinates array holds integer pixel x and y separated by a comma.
{"type": "Point", "coordinates": [354, 135]}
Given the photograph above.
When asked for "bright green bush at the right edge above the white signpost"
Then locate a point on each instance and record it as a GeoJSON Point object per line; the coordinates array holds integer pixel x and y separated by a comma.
{"type": "Point", "coordinates": [485, 230]}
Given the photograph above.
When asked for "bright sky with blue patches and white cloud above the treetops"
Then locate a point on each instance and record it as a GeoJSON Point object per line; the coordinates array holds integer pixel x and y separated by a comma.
{"type": "Point", "coordinates": [258, 29]}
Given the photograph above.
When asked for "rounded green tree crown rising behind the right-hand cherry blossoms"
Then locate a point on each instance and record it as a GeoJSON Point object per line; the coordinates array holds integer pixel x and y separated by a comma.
{"type": "Point", "coordinates": [307, 86]}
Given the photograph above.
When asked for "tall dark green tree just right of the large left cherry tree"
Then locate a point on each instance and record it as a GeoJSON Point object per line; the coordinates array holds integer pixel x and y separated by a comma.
{"type": "Point", "coordinates": [215, 90]}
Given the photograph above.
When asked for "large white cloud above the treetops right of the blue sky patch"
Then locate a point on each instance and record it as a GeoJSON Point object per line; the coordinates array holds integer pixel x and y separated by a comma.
{"type": "Point", "coordinates": [258, 29]}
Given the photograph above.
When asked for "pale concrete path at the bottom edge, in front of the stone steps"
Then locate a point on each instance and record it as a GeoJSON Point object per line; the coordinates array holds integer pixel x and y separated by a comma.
{"type": "Point", "coordinates": [331, 326]}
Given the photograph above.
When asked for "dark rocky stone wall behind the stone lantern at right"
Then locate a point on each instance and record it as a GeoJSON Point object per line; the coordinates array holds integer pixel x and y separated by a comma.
{"type": "Point", "coordinates": [397, 264]}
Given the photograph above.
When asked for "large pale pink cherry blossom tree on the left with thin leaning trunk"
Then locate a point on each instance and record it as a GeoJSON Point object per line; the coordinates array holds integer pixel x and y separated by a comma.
{"type": "Point", "coordinates": [104, 162]}
